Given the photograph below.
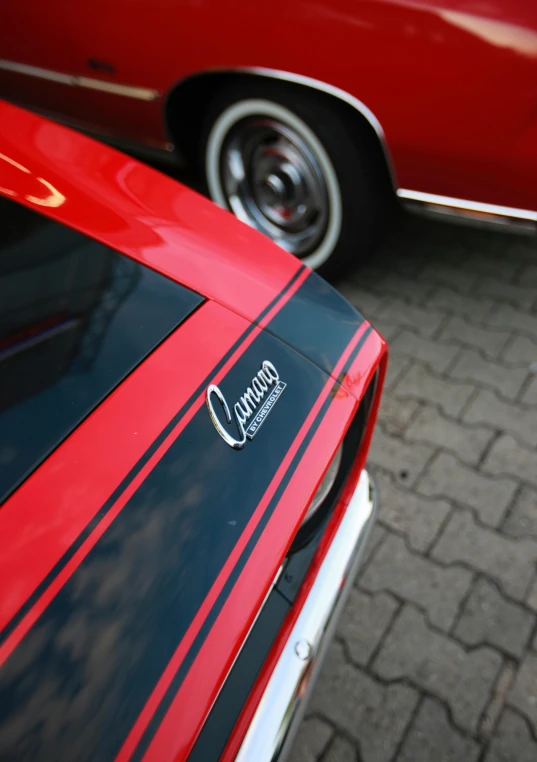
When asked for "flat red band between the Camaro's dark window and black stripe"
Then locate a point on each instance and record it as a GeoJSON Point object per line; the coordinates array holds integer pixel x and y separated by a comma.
{"type": "Point", "coordinates": [38, 523]}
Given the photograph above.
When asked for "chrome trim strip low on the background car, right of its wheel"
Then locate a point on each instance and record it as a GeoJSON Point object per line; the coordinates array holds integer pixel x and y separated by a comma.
{"type": "Point", "coordinates": [463, 208]}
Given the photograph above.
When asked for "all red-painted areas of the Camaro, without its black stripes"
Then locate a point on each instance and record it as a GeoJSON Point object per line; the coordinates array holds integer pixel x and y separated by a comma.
{"type": "Point", "coordinates": [160, 223]}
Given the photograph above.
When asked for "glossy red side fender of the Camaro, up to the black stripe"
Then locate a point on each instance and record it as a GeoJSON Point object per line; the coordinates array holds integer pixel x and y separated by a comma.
{"type": "Point", "coordinates": [138, 211]}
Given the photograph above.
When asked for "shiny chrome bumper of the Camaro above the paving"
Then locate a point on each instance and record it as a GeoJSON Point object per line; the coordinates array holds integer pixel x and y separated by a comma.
{"type": "Point", "coordinates": [280, 710]}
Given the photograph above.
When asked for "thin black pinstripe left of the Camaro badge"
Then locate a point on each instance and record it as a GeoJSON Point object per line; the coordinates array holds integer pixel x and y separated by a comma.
{"type": "Point", "coordinates": [64, 560]}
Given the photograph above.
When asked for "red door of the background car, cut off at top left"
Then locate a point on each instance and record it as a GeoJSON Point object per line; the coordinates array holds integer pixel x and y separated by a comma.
{"type": "Point", "coordinates": [36, 57]}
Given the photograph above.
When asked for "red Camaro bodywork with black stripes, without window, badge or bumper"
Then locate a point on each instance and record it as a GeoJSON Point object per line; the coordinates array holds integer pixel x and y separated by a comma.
{"type": "Point", "coordinates": [135, 558]}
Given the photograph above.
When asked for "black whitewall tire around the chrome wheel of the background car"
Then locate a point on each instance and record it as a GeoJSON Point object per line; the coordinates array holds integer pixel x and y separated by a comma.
{"type": "Point", "coordinates": [360, 174]}
